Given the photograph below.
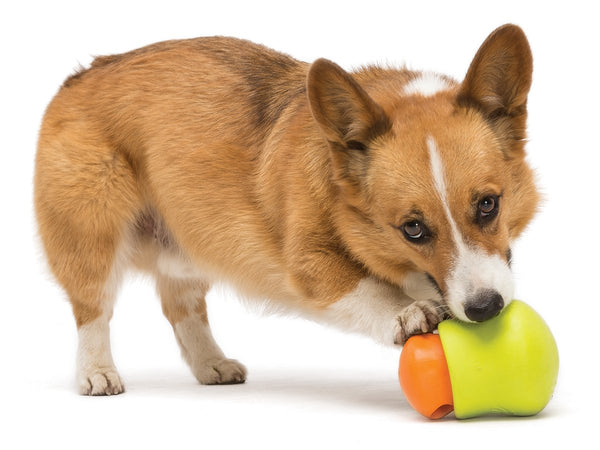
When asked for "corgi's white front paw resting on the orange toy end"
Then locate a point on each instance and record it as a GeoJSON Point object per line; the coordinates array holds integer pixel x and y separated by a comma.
{"type": "Point", "coordinates": [420, 317]}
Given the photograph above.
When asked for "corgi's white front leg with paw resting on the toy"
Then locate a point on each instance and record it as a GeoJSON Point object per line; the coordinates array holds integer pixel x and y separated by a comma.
{"type": "Point", "coordinates": [384, 312]}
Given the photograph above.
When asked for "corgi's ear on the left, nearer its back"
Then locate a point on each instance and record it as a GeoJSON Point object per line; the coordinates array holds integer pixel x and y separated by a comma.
{"type": "Point", "coordinates": [342, 108]}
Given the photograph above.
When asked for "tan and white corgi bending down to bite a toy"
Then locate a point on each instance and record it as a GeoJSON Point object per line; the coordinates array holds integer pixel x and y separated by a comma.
{"type": "Point", "coordinates": [379, 201]}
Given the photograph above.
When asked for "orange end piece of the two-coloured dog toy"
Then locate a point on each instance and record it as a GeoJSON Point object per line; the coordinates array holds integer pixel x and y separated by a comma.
{"type": "Point", "coordinates": [424, 376]}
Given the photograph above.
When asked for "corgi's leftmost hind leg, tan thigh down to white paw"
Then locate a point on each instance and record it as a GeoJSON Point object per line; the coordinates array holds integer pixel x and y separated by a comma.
{"type": "Point", "coordinates": [86, 197]}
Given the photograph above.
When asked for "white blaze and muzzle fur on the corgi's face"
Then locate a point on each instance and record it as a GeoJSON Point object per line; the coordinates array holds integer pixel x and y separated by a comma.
{"type": "Point", "coordinates": [473, 269]}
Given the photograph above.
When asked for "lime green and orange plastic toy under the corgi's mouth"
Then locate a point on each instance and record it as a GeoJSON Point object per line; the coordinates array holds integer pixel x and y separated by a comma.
{"type": "Point", "coordinates": [506, 365]}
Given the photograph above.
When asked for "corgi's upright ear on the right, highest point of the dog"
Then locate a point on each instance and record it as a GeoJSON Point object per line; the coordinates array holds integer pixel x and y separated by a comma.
{"type": "Point", "coordinates": [499, 79]}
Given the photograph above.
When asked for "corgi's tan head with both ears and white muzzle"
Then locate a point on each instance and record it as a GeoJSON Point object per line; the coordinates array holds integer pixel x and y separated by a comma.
{"type": "Point", "coordinates": [431, 174]}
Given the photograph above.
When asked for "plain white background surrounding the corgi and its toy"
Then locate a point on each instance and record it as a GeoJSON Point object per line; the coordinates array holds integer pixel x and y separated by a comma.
{"type": "Point", "coordinates": [308, 387]}
